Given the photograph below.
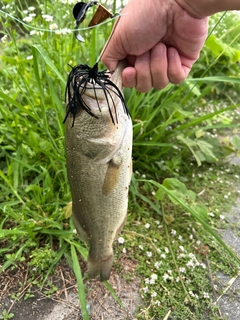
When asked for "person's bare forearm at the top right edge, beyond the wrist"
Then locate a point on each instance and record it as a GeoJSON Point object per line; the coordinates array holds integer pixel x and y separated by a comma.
{"type": "Point", "coordinates": [204, 8]}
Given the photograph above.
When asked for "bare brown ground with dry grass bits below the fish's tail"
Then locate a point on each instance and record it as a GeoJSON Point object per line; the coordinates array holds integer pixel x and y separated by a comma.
{"type": "Point", "coordinates": [64, 304]}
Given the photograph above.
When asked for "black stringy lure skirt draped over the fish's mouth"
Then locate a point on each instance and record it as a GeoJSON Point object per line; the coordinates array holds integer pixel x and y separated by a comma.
{"type": "Point", "coordinates": [100, 85]}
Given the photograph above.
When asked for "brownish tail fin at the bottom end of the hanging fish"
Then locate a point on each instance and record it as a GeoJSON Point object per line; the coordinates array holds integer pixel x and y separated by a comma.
{"type": "Point", "coordinates": [102, 267]}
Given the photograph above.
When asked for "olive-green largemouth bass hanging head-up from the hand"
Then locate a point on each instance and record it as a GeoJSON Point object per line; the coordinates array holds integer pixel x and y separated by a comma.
{"type": "Point", "coordinates": [99, 167]}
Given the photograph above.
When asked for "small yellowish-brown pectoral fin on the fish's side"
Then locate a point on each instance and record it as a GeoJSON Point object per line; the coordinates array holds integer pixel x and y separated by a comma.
{"type": "Point", "coordinates": [112, 175]}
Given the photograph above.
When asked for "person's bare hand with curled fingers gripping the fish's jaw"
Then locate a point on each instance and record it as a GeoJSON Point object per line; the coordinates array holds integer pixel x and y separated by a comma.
{"type": "Point", "coordinates": [160, 42]}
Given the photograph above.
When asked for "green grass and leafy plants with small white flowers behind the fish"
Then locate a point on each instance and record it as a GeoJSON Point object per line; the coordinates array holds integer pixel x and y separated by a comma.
{"type": "Point", "coordinates": [179, 141]}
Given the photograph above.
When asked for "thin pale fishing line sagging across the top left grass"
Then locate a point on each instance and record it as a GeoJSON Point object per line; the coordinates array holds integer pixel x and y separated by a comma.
{"type": "Point", "coordinates": [3, 13]}
